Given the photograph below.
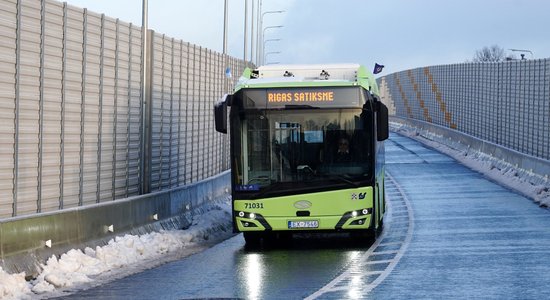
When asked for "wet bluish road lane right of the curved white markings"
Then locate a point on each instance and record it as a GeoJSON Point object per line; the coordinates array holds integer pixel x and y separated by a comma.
{"type": "Point", "coordinates": [472, 238]}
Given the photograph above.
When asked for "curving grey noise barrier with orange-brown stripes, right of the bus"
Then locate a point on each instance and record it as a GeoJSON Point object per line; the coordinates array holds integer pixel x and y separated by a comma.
{"type": "Point", "coordinates": [507, 103]}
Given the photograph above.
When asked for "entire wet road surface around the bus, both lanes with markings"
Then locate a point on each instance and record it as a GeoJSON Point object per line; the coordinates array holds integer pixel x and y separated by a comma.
{"type": "Point", "coordinates": [450, 233]}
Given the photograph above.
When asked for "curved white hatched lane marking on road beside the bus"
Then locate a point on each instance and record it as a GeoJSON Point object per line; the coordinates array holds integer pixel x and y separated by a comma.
{"type": "Point", "coordinates": [332, 286]}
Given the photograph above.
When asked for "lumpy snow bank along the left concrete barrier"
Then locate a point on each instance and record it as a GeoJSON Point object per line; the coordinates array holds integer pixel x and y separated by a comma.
{"type": "Point", "coordinates": [122, 256]}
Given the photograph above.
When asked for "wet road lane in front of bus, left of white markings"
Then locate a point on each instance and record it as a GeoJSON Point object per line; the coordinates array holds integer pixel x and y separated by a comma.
{"type": "Point", "coordinates": [229, 270]}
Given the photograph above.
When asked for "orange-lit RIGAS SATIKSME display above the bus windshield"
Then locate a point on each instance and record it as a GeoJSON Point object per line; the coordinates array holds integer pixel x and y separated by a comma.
{"type": "Point", "coordinates": [304, 97]}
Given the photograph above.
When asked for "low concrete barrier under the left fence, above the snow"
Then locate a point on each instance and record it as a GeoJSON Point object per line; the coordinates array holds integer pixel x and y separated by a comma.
{"type": "Point", "coordinates": [27, 242]}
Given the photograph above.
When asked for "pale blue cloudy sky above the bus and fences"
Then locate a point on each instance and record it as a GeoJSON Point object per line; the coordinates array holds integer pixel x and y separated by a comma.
{"type": "Point", "coordinates": [400, 34]}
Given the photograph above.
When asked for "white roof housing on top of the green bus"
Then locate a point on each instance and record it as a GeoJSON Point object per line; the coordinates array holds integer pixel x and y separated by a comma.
{"type": "Point", "coordinates": [276, 76]}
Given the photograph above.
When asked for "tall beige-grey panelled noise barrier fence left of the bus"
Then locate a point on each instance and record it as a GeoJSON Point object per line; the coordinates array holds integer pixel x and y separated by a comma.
{"type": "Point", "coordinates": [74, 124]}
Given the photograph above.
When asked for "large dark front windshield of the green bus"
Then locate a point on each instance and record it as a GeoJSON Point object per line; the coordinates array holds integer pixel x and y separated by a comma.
{"type": "Point", "coordinates": [301, 150]}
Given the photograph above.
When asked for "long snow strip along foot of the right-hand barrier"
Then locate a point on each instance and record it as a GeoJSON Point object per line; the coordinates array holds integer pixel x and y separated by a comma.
{"type": "Point", "coordinates": [532, 185]}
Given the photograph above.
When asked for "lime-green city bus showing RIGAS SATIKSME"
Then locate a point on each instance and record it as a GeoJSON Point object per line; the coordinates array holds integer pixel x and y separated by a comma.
{"type": "Point", "coordinates": [307, 150]}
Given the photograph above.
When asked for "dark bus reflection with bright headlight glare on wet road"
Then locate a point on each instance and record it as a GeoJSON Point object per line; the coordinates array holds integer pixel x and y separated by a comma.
{"type": "Point", "coordinates": [294, 267]}
